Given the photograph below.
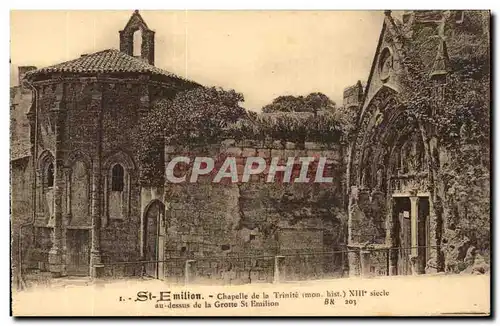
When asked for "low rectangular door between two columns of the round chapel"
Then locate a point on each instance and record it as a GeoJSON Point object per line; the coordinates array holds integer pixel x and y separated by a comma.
{"type": "Point", "coordinates": [78, 245]}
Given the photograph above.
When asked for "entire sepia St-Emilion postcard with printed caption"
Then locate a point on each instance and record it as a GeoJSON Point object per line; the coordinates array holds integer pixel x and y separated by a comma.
{"type": "Point", "coordinates": [250, 163]}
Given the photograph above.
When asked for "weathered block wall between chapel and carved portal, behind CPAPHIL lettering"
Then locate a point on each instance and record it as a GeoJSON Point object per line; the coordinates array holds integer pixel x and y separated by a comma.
{"type": "Point", "coordinates": [222, 225]}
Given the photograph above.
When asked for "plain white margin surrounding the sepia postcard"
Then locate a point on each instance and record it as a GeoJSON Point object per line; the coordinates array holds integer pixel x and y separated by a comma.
{"type": "Point", "coordinates": [181, 5]}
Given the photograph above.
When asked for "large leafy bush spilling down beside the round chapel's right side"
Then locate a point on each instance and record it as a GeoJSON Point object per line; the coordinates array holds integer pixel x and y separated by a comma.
{"type": "Point", "coordinates": [198, 116]}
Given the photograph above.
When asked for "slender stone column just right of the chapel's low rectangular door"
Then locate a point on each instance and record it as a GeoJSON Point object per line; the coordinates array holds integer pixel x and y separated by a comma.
{"type": "Point", "coordinates": [95, 250]}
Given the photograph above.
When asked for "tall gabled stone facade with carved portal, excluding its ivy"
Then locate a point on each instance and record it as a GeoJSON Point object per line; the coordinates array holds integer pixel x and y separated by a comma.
{"type": "Point", "coordinates": [394, 161]}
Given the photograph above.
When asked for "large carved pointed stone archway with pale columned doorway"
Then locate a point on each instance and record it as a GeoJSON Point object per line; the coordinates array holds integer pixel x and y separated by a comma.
{"type": "Point", "coordinates": [390, 204]}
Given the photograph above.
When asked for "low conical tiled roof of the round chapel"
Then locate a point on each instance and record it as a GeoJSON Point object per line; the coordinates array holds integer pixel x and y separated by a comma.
{"type": "Point", "coordinates": [107, 61]}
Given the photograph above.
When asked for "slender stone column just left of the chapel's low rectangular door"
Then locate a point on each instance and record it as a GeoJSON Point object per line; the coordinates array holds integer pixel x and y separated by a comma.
{"type": "Point", "coordinates": [56, 262]}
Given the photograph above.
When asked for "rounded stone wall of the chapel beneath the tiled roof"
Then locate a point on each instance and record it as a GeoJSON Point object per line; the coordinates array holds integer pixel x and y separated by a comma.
{"type": "Point", "coordinates": [96, 121]}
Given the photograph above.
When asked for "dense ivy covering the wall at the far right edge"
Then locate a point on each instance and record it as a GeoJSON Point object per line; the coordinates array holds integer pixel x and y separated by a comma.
{"type": "Point", "coordinates": [457, 107]}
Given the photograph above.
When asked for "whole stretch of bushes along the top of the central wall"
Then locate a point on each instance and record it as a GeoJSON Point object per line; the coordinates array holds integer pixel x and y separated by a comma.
{"type": "Point", "coordinates": [210, 115]}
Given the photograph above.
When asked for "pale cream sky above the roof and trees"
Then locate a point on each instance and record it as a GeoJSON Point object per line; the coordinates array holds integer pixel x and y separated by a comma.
{"type": "Point", "coordinates": [261, 54]}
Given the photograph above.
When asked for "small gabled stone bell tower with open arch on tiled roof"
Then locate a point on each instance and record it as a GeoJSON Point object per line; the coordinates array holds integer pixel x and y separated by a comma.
{"type": "Point", "coordinates": [146, 51]}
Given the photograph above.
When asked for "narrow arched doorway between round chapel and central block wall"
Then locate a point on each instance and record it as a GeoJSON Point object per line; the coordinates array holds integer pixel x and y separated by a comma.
{"type": "Point", "coordinates": [154, 239]}
